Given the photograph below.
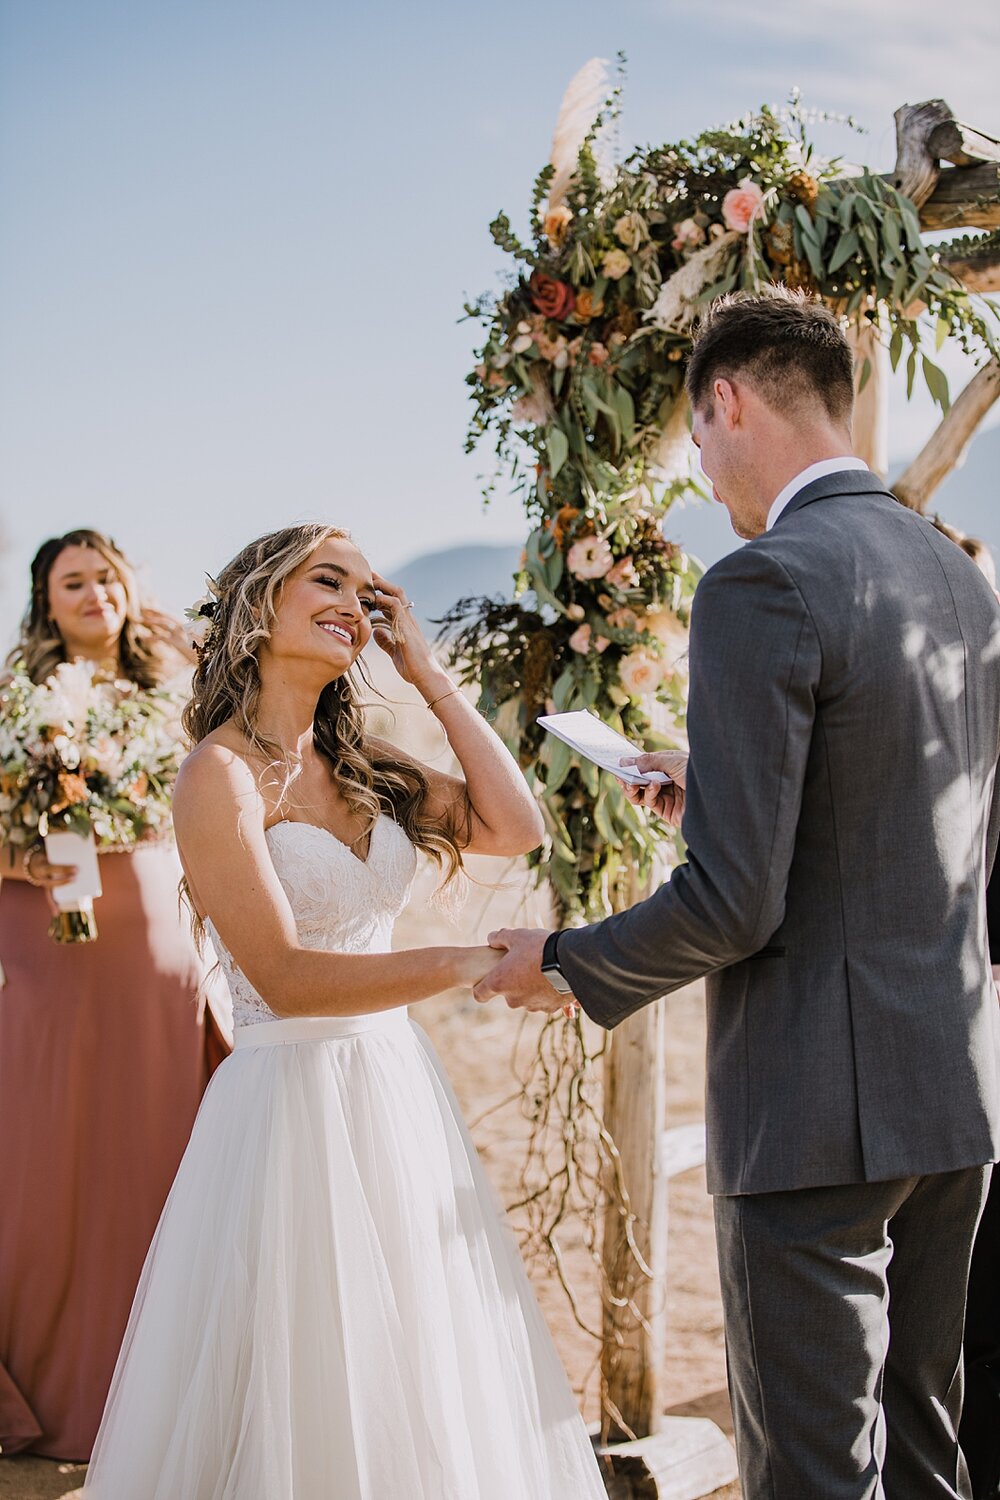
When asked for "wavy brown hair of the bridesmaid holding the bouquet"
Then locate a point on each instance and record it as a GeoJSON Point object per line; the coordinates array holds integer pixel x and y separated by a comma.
{"type": "Point", "coordinates": [151, 646]}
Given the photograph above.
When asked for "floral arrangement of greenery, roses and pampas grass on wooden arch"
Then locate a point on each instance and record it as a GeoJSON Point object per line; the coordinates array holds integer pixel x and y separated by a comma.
{"type": "Point", "coordinates": [579, 385]}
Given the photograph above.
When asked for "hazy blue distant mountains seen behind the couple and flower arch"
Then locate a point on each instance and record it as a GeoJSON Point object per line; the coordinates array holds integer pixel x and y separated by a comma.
{"type": "Point", "coordinates": [969, 499]}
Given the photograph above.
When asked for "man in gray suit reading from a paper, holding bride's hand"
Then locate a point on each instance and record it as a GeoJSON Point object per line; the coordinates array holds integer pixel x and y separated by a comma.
{"type": "Point", "coordinates": [845, 727]}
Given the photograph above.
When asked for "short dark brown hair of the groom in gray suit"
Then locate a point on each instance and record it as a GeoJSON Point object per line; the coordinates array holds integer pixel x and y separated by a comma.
{"type": "Point", "coordinates": [791, 349]}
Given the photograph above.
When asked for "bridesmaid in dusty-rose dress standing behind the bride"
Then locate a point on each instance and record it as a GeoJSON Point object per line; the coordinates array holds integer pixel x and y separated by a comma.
{"type": "Point", "coordinates": [106, 1051]}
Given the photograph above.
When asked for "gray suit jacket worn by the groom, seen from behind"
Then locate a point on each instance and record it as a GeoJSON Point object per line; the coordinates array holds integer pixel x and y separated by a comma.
{"type": "Point", "coordinates": [845, 725]}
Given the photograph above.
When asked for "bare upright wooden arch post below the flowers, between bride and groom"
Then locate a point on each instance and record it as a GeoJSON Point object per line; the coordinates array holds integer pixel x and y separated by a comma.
{"type": "Point", "coordinates": [635, 1310]}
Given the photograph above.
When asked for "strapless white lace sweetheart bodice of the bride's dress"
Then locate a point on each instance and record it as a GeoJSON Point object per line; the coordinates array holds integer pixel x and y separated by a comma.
{"type": "Point", "coordinates": [338, 901]}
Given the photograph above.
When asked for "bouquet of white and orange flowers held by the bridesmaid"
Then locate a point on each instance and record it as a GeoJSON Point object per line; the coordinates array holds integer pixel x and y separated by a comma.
{"type": "Point", "coordinates": [86, 754]}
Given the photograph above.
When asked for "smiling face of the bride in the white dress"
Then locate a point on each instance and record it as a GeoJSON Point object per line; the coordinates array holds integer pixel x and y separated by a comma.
{"type": "Point", "coordinates": [325, 610]}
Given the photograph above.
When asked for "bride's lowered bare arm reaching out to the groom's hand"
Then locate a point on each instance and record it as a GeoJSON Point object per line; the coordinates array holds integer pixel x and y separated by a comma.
{"type": "Point", "coordinates": [220, 817]}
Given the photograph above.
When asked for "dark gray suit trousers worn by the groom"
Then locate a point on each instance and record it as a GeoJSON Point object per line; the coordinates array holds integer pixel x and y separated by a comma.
{"type": "Point", "coordinates": [845, 1315]}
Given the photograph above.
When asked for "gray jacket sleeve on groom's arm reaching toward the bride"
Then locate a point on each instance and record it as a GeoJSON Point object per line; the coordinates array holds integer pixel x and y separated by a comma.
{"type": "Point", "coordinates": [755, 671]}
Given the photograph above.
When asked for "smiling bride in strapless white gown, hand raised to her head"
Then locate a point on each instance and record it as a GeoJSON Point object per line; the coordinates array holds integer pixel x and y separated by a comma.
{"type": "Point", "coordinates": [332, 1304]}
